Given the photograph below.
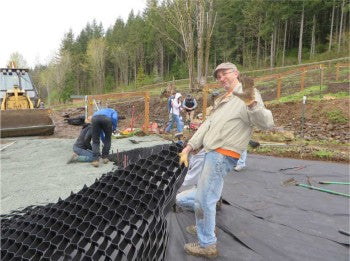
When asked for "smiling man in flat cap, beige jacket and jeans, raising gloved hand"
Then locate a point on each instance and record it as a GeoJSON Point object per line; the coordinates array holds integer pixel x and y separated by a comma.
{"type": "Point", "coordinates": [224, 135]}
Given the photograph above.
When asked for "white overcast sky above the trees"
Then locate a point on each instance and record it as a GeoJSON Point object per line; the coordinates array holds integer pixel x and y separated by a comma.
{"type": "Point", "coordinates": [35, 28]}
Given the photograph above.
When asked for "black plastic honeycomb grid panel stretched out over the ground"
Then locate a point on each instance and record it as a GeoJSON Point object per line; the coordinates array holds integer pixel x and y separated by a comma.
{"type": "Point", "coordinates": [119, 217]}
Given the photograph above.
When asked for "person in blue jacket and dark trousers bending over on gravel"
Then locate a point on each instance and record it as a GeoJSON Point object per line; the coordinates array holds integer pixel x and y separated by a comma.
{"type": "Point", "coordinates": [103, 122]}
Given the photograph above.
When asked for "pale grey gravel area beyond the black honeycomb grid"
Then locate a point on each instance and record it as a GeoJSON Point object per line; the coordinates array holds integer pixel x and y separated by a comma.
{"type": "Point", "coordinates": [34, 170]}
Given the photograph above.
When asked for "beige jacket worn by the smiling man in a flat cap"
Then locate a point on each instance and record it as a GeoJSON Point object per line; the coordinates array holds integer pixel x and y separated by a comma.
{"type": "Point", "coordinates": [231, 123]}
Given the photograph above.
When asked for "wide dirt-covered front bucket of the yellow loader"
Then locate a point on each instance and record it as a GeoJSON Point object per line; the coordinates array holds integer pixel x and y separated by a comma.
{"type": "Point", "coordinates": [28, 122]}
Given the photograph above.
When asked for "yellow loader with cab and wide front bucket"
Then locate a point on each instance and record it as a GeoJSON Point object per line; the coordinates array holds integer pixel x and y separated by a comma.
{"type": "Point", "coordinates": [22, 112]}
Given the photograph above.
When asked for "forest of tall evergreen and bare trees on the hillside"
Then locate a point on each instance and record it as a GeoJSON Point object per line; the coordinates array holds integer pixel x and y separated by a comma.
{"type": "Point", "coordinates": [188, 38]}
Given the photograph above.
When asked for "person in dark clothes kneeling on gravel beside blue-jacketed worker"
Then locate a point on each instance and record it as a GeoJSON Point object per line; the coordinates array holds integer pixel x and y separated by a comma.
{"type": "Point", "coordinates": [82, 147]}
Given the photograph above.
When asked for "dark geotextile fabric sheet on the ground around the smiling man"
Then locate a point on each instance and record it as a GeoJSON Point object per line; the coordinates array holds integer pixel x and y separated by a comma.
{"type": "Point", "coordinates": [264, 220]}
